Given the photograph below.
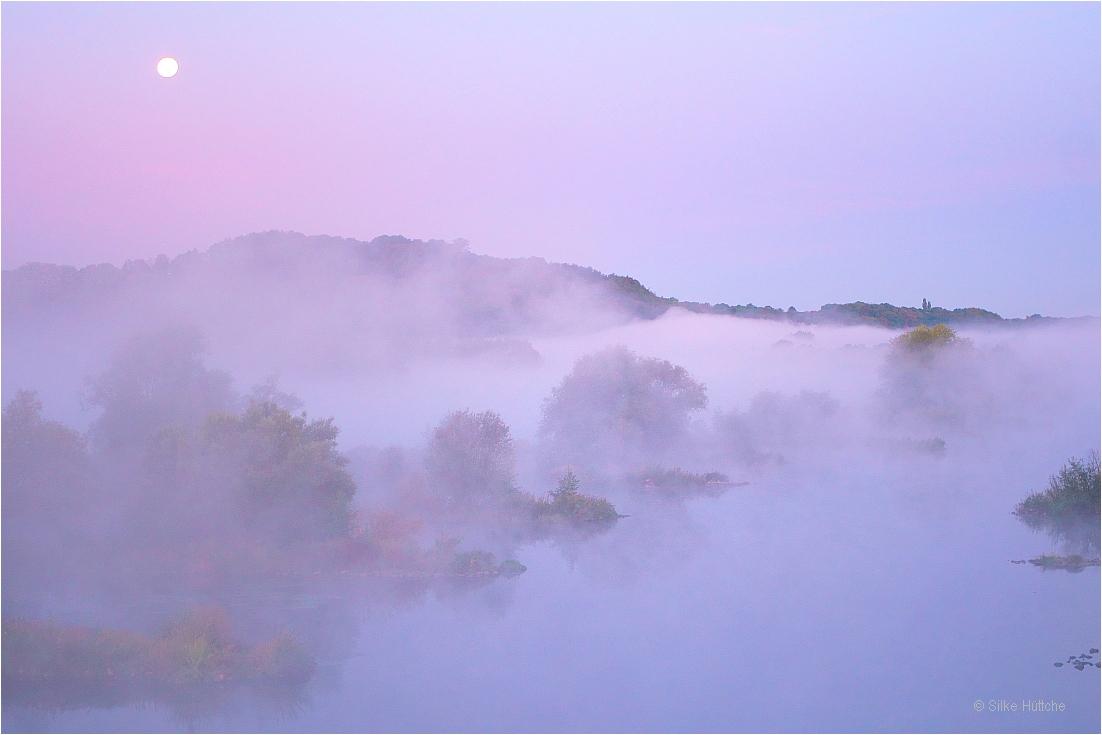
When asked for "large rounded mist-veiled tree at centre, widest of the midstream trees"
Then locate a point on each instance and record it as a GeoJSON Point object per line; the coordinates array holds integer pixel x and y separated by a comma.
{"type": "Point", "coordinates": [619, 407]}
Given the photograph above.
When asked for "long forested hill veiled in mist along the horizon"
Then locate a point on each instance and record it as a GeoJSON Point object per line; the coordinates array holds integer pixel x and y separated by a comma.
{"type": "Point", "coordinates": [479, 296]}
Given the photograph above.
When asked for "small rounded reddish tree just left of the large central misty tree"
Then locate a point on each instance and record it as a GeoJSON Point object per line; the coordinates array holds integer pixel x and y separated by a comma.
{"type": "Point", "coordinates": [472, 458]}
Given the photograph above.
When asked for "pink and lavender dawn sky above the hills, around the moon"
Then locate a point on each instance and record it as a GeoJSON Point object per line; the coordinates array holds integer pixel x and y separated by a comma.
{"type": "Point", "coordinates": [783, 155]}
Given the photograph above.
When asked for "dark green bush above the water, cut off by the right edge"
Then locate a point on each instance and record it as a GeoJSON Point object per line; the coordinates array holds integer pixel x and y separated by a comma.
{"type": "Point", "coordinates": [1068, 509]}
